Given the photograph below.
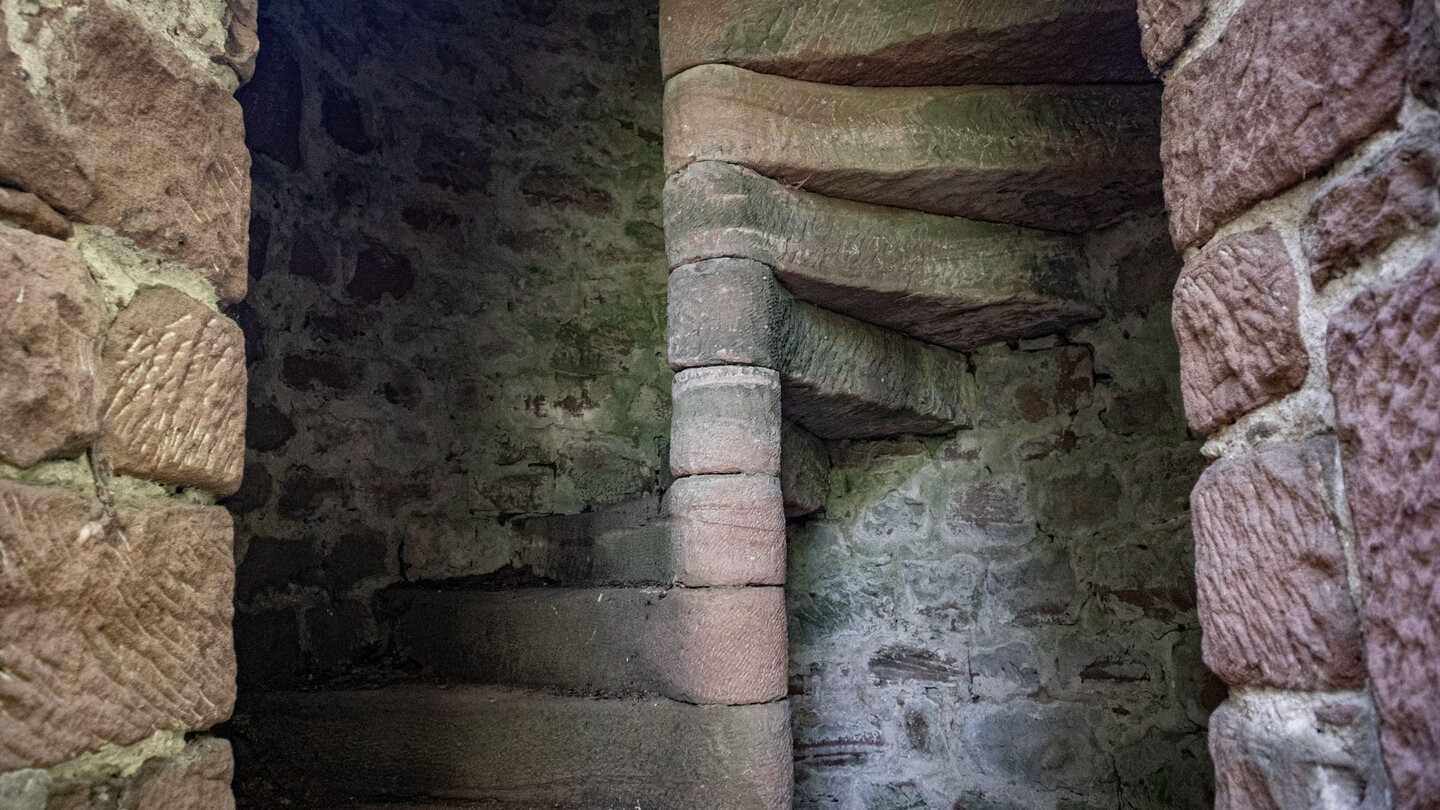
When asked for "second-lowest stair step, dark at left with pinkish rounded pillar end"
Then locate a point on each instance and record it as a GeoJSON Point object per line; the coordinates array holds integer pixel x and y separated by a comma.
{"type": "Point", "coordinates": [722, 646]}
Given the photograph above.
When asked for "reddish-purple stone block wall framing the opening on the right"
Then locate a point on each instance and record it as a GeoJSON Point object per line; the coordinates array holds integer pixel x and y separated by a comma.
{"type": "Point", "coordinates": [1300, 145]}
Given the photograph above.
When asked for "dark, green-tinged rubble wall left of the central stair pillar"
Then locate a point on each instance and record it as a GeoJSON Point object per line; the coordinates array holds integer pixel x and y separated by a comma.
{"type": "Point", "coordinates": [457, 315]}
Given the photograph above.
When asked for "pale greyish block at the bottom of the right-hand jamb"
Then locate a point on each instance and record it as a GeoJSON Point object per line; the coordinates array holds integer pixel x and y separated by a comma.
{"type": "Point", "coordinates": [1297, 752]}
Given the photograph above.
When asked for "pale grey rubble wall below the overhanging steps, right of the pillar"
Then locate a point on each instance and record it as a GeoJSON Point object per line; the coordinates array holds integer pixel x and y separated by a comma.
{"type": "Point", "coordinates": [1007, 618]}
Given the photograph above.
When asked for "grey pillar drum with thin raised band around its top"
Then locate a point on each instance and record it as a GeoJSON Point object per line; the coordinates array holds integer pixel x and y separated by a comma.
{"type": "Point", "coordinates": [726, 420]}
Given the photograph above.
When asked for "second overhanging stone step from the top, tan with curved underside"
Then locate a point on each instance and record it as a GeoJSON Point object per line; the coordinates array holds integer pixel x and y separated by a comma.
{"type": "Point", "coordinates": [1049, 156]}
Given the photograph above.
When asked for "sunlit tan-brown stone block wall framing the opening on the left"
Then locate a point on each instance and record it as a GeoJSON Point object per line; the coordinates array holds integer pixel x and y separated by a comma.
{"type": "Point", "coordinates": [125, 195]}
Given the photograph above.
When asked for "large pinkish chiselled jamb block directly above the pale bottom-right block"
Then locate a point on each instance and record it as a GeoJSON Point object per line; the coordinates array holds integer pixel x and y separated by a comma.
{"type": "Point", "coordinates": [1274, 586]}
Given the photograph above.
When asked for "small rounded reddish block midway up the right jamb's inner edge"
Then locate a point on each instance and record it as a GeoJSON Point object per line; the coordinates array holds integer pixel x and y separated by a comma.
{"type": "Point", "coordinates": [1238, 321]}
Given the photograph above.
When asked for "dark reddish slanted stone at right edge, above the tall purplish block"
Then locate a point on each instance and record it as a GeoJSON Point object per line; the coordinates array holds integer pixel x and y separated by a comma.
{"type": "Point", "coordinates": [1364, 211]}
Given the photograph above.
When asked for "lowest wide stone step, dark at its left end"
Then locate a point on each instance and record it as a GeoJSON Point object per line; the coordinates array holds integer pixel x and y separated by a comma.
{"type": "Point", "coordinates": [519, 749]}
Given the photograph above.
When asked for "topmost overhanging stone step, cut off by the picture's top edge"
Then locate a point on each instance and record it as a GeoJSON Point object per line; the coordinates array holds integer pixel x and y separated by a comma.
{"type": "Point", "coordinates": [919, 43]}
